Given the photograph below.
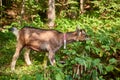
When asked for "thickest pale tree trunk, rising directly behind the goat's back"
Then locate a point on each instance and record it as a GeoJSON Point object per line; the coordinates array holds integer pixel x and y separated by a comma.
{"type": "Point", "coordinates": [51, 13]}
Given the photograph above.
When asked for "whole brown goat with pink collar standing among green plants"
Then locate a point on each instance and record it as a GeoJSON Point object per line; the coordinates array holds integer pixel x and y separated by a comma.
{"type": "Point", "coordinates": [43, 39]}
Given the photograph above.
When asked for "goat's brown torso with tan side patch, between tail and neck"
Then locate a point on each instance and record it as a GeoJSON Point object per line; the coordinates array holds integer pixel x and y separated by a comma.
{"type": "Point", "coordinates": [39, 38]}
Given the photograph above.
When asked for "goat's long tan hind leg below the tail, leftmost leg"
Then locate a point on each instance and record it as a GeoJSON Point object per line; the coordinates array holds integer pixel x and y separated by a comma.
{"type": "Point", "coordinates": [16, 55]}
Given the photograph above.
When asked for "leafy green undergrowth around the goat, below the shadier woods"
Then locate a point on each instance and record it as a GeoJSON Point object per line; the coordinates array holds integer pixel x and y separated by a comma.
{"type": "Point", "coordinates": [97, 59]}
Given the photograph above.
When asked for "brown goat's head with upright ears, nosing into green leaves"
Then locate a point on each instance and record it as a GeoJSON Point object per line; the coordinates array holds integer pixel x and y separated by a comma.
{"type": "Point", "coordinates": [81, 35]}
